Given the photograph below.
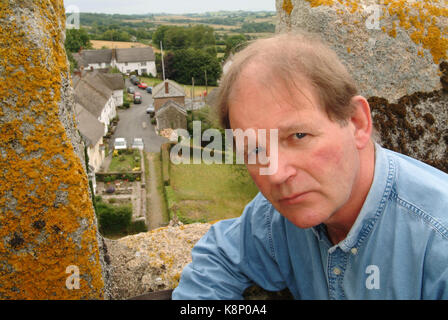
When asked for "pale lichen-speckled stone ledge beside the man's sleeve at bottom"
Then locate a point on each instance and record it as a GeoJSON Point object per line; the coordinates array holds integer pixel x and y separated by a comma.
{"type": "Point", "coordinates": [151, 261]}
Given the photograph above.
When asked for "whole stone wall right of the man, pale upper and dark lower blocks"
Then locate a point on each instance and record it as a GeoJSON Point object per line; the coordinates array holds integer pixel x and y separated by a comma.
{"type": "Point", "coordinates": [396, 51]}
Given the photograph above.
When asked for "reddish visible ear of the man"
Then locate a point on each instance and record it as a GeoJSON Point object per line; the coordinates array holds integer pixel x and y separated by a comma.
{"type": "Point", "coordinates": [362, 121]}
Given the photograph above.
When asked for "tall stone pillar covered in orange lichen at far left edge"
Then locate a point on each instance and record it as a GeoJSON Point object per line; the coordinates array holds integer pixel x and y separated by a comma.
{"type": "Point", "coordinates": [47, 222]}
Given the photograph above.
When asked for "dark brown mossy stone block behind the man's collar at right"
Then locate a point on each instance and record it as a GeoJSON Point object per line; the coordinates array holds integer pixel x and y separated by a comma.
{"type": "Point", "coordinates": [416, 126]}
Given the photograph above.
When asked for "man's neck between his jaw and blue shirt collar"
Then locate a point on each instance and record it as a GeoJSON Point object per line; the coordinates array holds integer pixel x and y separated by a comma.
{"type": "Point", "coordinates": [338, 229]}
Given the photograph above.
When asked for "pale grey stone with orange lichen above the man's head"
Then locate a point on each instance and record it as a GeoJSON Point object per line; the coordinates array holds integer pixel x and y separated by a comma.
{"type": "Point", "coordinates": [398, 56]}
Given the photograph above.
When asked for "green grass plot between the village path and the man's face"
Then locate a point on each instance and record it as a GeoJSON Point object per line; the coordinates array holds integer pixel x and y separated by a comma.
{"type": "Point", "coordinates": [209, 192]}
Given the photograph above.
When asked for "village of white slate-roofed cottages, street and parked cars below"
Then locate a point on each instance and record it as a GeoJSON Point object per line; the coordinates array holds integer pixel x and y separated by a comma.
{"type": "Point", "coordinates": [99, 97]}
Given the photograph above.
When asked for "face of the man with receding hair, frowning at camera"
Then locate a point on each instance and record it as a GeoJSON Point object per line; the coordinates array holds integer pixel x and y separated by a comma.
{"type": "Point", "coordinates": [318, 161]}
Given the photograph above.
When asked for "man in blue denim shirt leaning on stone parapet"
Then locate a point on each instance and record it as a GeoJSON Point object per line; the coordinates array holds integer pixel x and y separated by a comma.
{"type": "Point", "coordinates": [342, 217]}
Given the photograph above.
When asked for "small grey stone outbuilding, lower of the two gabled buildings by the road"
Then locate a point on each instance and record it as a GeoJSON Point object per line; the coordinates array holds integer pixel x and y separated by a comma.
{"type": "Point", "coordinates": [171, 116]}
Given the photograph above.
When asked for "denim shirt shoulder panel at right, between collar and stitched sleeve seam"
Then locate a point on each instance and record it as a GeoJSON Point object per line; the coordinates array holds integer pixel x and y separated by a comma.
{"type": "Point", "coordinates": [421, 189]}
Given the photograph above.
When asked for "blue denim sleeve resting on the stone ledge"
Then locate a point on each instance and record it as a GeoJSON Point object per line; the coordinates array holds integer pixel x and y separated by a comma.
{"type": "Point", "coordinates": [230, 257]}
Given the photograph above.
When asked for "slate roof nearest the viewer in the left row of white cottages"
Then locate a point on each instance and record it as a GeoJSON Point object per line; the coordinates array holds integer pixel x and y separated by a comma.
{"type": "Point", "coordinates": [90, 127]}
